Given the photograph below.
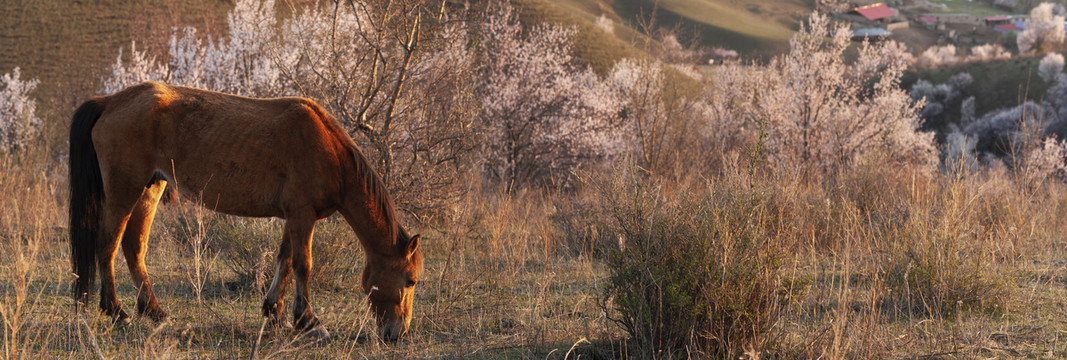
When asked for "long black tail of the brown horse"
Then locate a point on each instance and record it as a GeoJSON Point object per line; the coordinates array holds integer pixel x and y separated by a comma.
{"type": "Point", "coordinates": [87, 198]}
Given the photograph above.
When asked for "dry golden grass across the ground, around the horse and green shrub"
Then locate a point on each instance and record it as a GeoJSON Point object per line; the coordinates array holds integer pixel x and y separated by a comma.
{"type": "Point", "coordinates": [881, 264]}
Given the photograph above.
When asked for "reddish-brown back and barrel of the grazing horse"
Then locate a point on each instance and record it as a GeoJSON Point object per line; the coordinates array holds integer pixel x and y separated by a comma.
{"type": "Point", "coordinates": [238, 155]}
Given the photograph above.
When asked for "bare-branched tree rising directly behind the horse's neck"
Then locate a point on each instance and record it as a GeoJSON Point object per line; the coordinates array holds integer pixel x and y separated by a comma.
{"type": "Point", "coordinates": [399, 75]}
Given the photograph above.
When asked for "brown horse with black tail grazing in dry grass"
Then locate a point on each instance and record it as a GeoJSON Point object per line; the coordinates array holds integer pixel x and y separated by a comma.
{"type": "Point", "coordinates": [277, 158]}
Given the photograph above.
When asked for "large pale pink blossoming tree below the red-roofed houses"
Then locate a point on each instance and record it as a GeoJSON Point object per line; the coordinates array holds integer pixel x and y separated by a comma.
{"type": "Point", "coordinates": [819, 112]}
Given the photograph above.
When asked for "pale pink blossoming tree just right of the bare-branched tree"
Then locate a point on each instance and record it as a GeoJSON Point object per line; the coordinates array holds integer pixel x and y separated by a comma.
{"type": "Point", "coordinates": [546, 116]}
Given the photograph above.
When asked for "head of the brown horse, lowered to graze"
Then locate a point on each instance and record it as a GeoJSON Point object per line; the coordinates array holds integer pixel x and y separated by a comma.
{"type": "Point", "coordinates": [390, 283]}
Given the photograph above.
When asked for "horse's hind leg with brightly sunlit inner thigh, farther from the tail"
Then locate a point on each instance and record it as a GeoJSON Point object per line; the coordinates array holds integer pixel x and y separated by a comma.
{"type": "Point", "coordinates": [135, 241]}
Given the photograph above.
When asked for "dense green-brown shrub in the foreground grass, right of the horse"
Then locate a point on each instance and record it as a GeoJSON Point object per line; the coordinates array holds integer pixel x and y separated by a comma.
{"type": "Point", "coordinates": [700, 275]}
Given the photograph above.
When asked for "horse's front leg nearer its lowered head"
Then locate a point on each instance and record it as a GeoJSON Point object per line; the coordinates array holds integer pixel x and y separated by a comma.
{"type": "Point", "coordinates": [299, 231]}
